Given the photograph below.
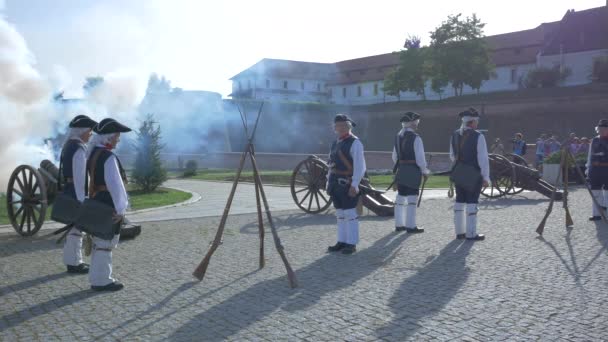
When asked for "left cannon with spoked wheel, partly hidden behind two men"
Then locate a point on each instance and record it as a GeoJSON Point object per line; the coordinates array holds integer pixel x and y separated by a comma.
{"type": "Point", "coordinates": [29, 194]}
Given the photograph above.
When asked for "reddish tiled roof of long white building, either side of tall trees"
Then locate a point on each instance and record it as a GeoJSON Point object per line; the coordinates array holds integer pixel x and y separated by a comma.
{"type": "Point", "coordinates": [577, 31]}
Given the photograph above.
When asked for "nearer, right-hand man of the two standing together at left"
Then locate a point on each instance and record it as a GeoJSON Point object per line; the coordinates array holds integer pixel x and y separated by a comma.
{"type": "Point", "coordinates": [107, 186]}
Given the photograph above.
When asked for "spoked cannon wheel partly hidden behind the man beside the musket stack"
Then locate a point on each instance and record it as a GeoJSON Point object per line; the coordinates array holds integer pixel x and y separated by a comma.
{"type": "Point", "coordinates": [308, 182]}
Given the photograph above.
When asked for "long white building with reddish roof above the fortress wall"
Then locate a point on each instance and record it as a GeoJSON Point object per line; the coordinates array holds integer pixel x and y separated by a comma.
{"type": "Point", "coordinates": [572, 43]}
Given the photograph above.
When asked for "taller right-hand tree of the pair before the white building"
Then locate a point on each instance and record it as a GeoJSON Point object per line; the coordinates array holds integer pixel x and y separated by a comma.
{"type": "Point", "coordinates": [459, 54]}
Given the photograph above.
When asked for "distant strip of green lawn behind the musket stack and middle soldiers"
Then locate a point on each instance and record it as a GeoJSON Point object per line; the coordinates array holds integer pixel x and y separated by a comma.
{"type": "Point", "coordinates": [284, 177]}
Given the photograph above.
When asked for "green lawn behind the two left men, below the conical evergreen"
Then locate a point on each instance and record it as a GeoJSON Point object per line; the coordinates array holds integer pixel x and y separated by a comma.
{"type": "Point", "coordinates": [160, 197]}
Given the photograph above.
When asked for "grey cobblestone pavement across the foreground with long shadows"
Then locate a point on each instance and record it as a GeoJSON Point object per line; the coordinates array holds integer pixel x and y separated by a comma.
{"type": "Point", "coordinates": [513, 286]}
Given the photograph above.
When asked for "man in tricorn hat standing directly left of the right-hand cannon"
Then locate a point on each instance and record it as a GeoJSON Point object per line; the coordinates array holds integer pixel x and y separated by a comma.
{"type": "Point", "coordinates": [468, 150]}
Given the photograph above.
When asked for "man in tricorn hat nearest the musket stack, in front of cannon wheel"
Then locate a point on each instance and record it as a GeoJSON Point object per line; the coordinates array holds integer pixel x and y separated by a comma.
{"type": "Point", "coordinates": [346, 168]}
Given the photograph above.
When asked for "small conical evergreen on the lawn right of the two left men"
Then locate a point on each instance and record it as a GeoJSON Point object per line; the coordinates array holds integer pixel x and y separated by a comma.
{"type": "Point", "coordinates": [148, 173]}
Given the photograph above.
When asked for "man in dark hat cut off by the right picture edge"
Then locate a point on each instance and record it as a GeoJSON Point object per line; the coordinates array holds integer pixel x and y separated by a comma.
{"type": "Point", "coordinates": [597, 168]}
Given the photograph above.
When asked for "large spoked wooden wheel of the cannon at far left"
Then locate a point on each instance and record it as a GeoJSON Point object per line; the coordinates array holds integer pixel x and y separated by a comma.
{"type": "Point", "coordinates": [26, 200]}
